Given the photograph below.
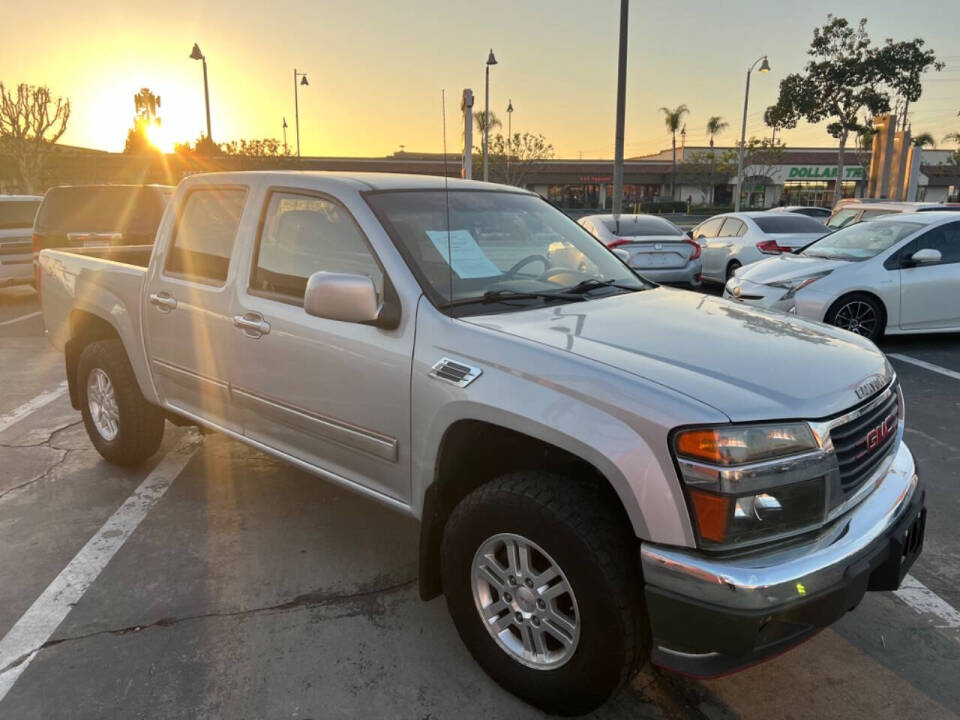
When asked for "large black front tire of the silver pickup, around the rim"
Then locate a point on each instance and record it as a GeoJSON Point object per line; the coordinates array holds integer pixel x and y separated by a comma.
{"type": "Point", "coordinates": [594, 546]}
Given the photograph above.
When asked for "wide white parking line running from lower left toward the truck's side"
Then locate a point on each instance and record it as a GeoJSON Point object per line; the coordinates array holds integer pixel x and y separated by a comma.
{"type": "Point", "coordinates": [34, 628]}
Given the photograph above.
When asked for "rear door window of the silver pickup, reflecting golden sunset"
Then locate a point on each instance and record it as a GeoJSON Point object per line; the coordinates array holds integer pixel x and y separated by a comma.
{"type": "Point", "coordinates": [205, 234]}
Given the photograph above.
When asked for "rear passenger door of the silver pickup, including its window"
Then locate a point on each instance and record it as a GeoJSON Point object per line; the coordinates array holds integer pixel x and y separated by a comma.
{"type": "Point", "coordinates": [187, 318]}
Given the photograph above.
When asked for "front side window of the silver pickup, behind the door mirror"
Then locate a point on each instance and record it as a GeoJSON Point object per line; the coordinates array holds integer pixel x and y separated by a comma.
{"type": "Point", "coordinates": [302, 235]}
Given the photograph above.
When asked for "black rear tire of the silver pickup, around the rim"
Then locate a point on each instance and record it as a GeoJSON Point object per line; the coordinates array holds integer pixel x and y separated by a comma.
{"type": "Point", "coordinates": [139, 424]}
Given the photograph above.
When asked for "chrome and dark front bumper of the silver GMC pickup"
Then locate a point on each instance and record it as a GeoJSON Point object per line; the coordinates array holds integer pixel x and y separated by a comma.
{"type": "Point", "coordinates": [711, 616]}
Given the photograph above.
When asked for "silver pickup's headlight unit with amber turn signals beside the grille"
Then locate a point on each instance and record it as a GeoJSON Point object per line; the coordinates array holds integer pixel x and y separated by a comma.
{"type": "Point", "coordinates": [752, 483]}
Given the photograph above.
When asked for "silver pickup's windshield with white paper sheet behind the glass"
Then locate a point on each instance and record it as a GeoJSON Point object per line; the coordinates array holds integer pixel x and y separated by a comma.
{"type": "Point", "coordinates": [507, 248]}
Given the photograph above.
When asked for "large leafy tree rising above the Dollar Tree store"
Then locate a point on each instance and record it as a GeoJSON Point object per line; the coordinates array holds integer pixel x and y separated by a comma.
{"type": "Point", "coordinates": [848, 75]}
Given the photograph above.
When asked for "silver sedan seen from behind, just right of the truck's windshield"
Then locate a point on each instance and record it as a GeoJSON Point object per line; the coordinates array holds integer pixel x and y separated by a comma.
{"type": "Point", "coordinates": [657, 249]}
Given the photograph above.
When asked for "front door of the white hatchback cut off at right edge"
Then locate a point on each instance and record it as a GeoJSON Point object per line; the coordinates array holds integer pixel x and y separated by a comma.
{"type": "Point", "coordinates": [930, 293]}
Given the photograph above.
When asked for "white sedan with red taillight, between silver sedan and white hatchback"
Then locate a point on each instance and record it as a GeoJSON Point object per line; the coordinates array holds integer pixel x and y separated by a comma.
{"type": "Point", "coordinates": [732, 240]}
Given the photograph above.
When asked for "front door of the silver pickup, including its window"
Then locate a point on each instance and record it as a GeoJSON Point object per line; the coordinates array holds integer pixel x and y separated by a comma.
{"type": "Point", "coordinates": [332, 394]}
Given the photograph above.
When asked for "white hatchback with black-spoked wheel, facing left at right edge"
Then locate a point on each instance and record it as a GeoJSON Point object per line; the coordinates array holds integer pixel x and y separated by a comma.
{"type": "Point", "coordinates": [896, 274]}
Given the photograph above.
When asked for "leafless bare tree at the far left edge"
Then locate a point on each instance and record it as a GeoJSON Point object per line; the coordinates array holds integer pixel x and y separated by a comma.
{"type": "Point", "coordinates": [31, 122]}
